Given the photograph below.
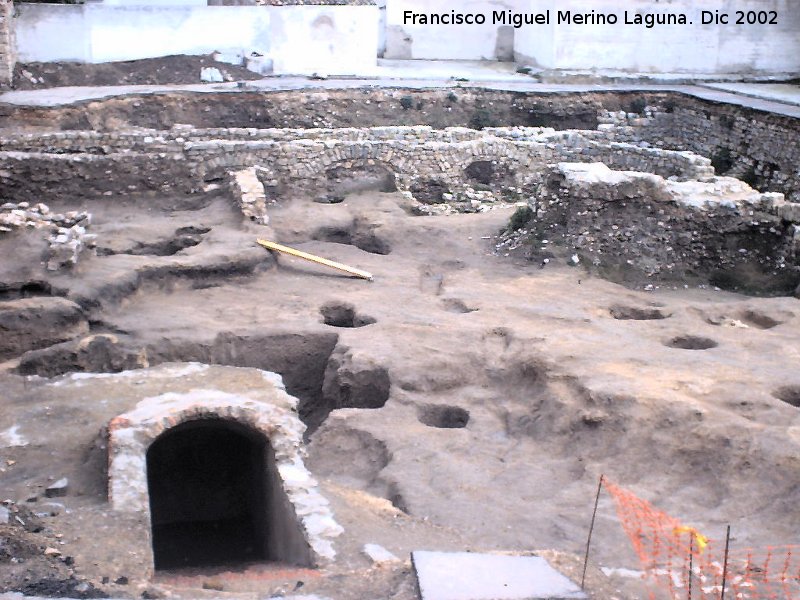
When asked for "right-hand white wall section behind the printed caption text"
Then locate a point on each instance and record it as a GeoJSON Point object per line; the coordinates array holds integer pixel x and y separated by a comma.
{"type": "Point", "coordinates": [771, 47]}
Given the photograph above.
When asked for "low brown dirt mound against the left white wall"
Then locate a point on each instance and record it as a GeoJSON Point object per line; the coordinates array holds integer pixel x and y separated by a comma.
{"type": "Point", "coordinates": [152, 71]}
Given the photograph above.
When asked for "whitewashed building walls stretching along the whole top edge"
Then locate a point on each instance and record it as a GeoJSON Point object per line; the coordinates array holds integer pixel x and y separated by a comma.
{"type": "Point", "coordinates": [343, 40]}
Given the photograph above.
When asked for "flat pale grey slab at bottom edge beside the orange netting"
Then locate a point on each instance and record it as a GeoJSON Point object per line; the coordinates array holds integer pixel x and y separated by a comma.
{"type": "Point", "coordinates": [472, 576]}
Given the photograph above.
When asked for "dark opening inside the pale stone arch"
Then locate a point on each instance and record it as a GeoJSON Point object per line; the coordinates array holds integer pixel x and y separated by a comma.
{"type": "Point", "coordinates": [209, 494]}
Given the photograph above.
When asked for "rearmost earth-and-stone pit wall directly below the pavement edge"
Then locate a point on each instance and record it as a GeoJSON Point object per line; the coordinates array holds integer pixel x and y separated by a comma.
{"type": "Point", "coordinates": [757, 146]}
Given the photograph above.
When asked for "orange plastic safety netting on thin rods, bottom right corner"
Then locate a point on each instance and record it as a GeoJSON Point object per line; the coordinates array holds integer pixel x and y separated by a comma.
{"type": "Point", "coordinates": [683, 563]}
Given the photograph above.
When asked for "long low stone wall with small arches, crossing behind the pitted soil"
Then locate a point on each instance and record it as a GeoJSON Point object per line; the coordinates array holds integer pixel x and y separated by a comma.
{"type": "Point", "coordinates": [68, 163]}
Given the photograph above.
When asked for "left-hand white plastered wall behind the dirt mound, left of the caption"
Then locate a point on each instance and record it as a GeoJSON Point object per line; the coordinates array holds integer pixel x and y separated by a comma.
{"type": "Point", "coordinates": [299, 39]}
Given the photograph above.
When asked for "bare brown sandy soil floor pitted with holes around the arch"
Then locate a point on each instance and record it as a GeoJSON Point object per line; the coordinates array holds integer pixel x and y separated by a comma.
{"type": "Point", "coordinates": [474, 409]}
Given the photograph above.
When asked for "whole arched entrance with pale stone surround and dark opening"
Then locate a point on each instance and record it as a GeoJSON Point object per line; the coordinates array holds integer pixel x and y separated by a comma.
{"type": "Point", "coordinates": [218, 477]}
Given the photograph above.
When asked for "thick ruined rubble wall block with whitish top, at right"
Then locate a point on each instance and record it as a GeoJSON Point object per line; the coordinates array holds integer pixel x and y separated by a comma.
{"type": "Point", "coordinates": [638, 225]}
